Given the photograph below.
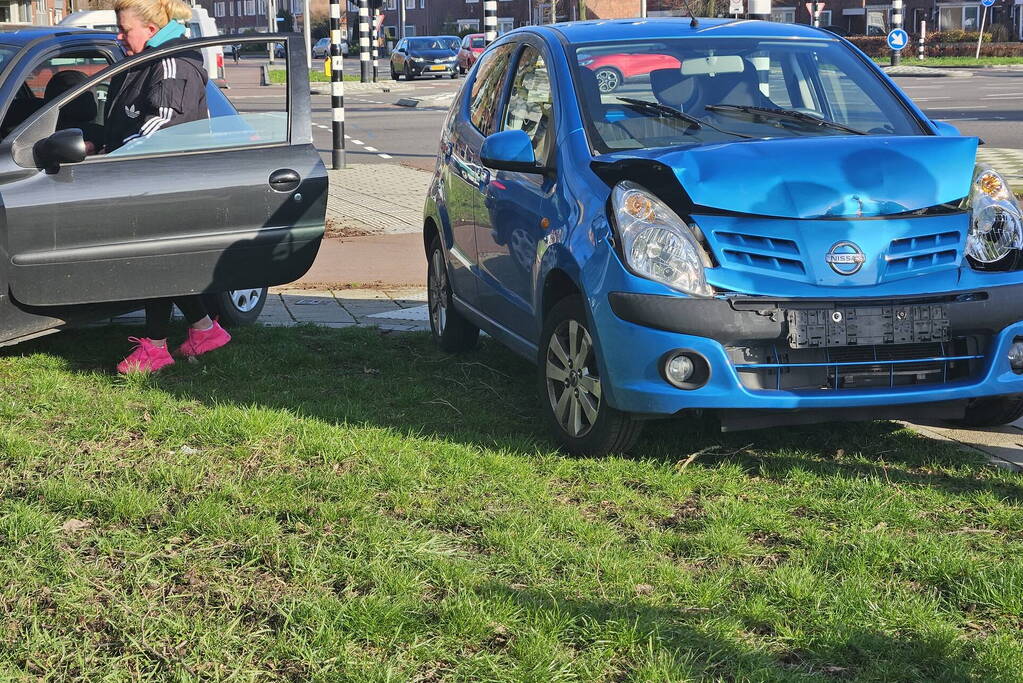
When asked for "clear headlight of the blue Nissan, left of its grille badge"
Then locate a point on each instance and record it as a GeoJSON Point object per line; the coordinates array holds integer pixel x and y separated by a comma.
{"type": "Point", "coordinates": [657, 244]}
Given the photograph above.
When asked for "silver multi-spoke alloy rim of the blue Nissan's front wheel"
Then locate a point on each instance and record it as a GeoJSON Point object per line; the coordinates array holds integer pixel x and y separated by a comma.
{"type": "Point", "coordinates": [573, 383]}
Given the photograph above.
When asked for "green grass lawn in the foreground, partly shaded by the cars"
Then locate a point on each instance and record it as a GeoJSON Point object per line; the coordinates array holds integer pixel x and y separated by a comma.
{"type": "Point", "coordinates": [316, 505]}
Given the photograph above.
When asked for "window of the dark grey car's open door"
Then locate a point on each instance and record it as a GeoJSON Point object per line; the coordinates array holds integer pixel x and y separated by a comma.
{"type": "Point", "coordinates": [167, 106]}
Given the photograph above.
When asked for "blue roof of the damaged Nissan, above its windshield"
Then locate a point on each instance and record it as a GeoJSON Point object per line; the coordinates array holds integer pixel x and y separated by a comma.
{"type": "Point", "coordinates": [679, 27]}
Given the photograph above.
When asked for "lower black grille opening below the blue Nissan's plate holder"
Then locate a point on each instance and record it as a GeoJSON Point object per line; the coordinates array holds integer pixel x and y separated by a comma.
{"type": "Point", "coordinates": [781, 369]}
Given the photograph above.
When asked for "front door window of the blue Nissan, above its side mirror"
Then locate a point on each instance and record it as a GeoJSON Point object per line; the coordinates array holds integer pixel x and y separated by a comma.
{"type": "Point", "coordinates": [529, 107]}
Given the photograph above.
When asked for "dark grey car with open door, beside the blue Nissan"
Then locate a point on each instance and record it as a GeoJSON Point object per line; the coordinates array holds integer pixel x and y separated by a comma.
{"type": "Point", "coordinates": [226, 206]}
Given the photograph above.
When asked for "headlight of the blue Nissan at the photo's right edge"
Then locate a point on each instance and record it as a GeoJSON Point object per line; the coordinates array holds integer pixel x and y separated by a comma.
{"type": "Point", "coordinates": [996, 222]}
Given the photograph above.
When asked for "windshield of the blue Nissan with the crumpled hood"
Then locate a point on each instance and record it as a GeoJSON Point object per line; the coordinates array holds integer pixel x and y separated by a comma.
{"type": "Point", "coordinates": [632, 93]}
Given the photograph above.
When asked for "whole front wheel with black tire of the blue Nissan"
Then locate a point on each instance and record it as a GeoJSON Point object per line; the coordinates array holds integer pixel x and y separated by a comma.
{"type": "Point", "coordinates": [569, 383]}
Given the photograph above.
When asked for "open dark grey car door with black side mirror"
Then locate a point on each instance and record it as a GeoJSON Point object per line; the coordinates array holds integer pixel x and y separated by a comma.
{"type": "Point", "coordinates": [237, 201]}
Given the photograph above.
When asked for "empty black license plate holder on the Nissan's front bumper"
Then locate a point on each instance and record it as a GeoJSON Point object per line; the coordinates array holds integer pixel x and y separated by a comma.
{"type": "Point", "coordinates": [868, 326]}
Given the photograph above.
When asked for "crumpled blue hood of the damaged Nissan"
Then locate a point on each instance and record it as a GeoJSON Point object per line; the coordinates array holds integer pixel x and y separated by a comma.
{"type": "Point", "coordinates": [815, 177]}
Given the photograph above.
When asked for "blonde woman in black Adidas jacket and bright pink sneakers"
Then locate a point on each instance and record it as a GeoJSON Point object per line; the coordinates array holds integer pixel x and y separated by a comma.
{"type": "Point", "coordinates": [151, 98]}
